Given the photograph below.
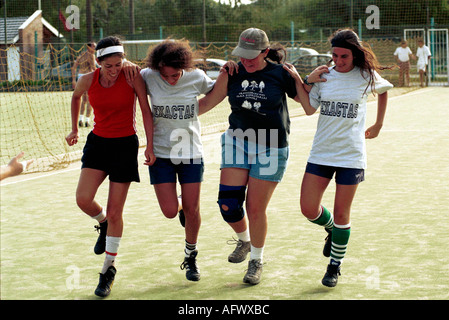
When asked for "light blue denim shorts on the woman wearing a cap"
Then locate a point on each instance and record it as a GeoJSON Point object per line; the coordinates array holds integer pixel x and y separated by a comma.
{"type": "Point", "coordinates": [264, 163]}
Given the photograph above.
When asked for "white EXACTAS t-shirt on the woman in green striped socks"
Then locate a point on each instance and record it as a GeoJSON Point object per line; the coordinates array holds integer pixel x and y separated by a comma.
{"type": "Point", "coordinates": [340, 137]}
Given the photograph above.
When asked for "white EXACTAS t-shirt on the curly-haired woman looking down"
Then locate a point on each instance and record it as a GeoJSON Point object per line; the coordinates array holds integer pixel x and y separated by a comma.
{"type": "Point", "coordinates": [177, 129]}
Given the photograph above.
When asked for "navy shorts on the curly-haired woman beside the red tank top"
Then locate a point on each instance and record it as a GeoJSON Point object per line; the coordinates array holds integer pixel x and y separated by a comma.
{"type": "Point", "coordinates": [165, 171]}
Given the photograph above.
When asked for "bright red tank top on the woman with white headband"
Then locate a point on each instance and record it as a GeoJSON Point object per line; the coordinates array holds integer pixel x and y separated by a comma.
{"type": "Point", "coordinates": [114, 107]}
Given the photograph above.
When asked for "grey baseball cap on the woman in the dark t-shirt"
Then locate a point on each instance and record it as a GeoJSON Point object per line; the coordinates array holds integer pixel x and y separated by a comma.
{"type": "Point", "coordinates": [251, 42]}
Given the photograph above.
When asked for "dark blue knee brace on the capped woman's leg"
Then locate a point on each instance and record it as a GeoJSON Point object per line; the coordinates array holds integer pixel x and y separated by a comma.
{"type": "Point", "coordinates": [230, 200]}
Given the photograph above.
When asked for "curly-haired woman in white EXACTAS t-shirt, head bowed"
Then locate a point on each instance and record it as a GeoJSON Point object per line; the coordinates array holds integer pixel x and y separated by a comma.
{"type": "Point", "coordinates": [174, 84]}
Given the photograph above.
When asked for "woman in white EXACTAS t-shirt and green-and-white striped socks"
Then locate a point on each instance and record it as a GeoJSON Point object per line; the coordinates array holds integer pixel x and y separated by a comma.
{"type": "Point", "coordinates": [339, 144]}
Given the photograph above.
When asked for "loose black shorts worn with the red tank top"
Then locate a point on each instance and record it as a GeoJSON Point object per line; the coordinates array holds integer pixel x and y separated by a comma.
{"type": "Point", "coordinates": [115, 156]}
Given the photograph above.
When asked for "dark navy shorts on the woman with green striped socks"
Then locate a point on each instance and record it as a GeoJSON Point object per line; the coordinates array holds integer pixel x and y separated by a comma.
{"type": "Point", "coordinates": [346, 176]}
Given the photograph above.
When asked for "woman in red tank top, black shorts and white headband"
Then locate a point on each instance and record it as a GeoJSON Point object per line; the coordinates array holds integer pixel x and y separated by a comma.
{"type": "Point", "coordinates": [111, 148]}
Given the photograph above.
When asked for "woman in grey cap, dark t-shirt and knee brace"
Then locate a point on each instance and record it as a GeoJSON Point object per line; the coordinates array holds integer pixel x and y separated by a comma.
{"type": "Point", "coordinates": [255, 147]}
